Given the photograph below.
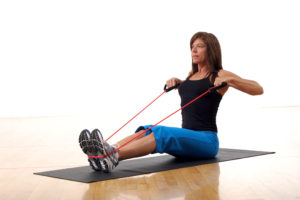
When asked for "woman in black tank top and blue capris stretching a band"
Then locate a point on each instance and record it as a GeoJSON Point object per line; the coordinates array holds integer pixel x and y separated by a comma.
{"type": "Point", "coordinates": [198, 136]}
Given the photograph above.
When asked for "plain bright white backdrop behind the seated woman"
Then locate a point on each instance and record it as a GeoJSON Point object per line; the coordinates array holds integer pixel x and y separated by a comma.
{"type": "Point", "coordinates": [65, 57]}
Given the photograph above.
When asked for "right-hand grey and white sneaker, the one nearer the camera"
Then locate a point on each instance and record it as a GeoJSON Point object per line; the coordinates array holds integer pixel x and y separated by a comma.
{"type": "Point", "coordinates": [103, 148]}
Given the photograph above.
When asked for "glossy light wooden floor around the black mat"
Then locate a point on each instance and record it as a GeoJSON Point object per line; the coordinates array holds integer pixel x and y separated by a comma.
{"type": "Point", "coordinates": [31, 145]}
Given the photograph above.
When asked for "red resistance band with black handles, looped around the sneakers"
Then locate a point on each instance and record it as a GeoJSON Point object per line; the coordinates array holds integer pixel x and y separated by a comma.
{"type": "Point", "coordinates": [165, 90]}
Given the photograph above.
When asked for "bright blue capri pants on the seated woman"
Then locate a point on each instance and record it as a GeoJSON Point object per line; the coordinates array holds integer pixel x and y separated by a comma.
{"type": "Point", "coordinates": [181, 142]}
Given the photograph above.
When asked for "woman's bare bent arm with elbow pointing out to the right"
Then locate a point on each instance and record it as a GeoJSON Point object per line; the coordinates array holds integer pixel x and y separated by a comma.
{"type": "Point", "coordinates": [248, 86]}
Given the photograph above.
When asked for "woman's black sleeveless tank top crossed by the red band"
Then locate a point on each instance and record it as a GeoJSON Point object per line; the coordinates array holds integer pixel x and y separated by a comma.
{"type": "Point", "coordinates": [201, 114]}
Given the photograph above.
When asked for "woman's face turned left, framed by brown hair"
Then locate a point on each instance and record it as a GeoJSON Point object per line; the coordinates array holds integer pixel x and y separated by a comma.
{"type": "Point", "coordinates": [198, 51]}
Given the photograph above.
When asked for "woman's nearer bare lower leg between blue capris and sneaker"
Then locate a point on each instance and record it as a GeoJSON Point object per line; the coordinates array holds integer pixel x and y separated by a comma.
{"type": "Point", "coordinates": [140, 147]}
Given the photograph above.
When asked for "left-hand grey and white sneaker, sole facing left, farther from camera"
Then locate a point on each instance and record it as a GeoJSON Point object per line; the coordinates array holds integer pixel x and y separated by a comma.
{"type": "Point", "coordinates": [87, 147]}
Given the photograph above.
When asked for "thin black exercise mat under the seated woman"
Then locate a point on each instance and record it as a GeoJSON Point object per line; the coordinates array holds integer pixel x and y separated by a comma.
{"type": "Point", "coordinates": [146, 165]}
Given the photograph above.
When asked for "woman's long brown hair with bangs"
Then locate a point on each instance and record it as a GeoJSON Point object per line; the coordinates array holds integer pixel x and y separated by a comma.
{"type": "Point", "coordinates": [213, 54]}
